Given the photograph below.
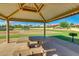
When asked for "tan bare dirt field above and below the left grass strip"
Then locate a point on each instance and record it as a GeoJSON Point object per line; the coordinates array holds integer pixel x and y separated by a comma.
{"type": "Point", "coordinates": [28, 32]}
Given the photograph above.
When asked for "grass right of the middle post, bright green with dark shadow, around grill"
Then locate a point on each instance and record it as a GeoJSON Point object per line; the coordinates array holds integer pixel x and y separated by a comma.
{"type": "Point", "coordinates": [64, 35]}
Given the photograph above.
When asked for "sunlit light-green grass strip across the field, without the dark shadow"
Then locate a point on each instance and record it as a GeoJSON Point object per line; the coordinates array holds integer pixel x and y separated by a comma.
{"type": "Point", "coordinates": [60, 32]}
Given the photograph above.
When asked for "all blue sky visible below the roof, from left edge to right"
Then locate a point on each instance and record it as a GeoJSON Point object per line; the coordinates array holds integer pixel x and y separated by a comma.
{"type": "Point", "coordinates": [72, 19]}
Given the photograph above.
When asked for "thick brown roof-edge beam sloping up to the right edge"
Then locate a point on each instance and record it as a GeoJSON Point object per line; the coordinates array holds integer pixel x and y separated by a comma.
{"type": "Point", "coordinates": [65, 14]}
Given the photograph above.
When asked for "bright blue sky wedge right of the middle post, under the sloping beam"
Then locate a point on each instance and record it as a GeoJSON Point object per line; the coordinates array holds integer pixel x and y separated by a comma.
{"type": "Point", "coordinates": [72, 19]}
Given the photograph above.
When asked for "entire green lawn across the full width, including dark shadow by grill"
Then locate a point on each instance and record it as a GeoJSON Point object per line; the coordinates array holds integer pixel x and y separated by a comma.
{"type": "Point", "coordinates": [64, 35]}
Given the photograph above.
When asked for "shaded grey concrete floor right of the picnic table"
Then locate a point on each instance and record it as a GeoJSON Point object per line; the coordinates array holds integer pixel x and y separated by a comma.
{"type": "Point", "coordinates": [63, 48]}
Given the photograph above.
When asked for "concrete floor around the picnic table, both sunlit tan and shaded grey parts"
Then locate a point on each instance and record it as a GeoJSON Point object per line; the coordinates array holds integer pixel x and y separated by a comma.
{"type": "Point", "coordinates": [63, 48]}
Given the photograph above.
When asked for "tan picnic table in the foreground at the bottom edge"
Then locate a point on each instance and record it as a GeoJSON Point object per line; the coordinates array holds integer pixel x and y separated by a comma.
{"type": "Point", "coordinates": [26, 51]}
